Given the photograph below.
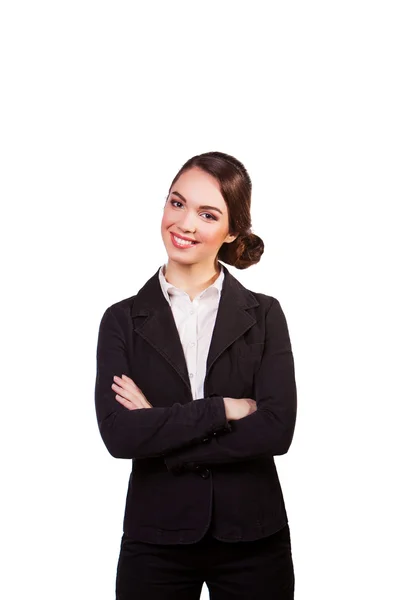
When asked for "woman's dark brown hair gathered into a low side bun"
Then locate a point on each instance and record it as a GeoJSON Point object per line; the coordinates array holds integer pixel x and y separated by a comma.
{"type": "Point", "coordinates": [235, 187]}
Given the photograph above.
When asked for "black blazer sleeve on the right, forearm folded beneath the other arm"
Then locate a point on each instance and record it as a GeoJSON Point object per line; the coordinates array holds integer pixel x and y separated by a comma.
{"type": "Point", "coordinates": [268, 430]}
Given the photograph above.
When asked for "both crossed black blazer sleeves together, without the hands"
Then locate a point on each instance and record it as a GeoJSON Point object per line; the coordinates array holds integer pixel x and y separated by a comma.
{"type": "Point", "coordinates": [178, 432]}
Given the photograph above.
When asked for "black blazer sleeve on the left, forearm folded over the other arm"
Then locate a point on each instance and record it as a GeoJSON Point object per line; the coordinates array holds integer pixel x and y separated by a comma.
{"type": "Point", "coordinates": [148, 432]}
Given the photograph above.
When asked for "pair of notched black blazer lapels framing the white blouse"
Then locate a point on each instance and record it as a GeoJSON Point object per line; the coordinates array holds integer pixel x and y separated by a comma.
{"type": "Point", "coordinates": [153, 320]}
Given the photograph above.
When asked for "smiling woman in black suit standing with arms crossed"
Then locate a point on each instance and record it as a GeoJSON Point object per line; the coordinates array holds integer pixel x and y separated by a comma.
{"type": "Point", "coordinates": [196, 385]}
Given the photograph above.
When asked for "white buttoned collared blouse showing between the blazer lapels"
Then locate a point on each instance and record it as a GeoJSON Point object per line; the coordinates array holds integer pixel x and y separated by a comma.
{"type": "Point", "coordinates": [195, 323]}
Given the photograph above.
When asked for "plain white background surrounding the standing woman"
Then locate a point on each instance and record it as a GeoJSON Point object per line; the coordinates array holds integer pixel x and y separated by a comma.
{"type": "Point", "coordinates": [101, 104]}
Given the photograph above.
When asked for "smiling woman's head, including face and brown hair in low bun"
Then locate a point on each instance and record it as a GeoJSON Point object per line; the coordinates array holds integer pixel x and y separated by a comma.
{"type": "Point", "coordinates": [224, 230]}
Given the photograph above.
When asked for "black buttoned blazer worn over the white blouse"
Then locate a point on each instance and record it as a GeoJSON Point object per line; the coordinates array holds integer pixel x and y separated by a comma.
{"type": "Point", "coordinates": [191, 468]}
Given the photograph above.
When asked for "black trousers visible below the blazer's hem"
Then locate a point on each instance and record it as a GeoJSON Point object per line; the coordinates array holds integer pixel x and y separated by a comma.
{"type": "Point", "coordinates": [257, 570]}
